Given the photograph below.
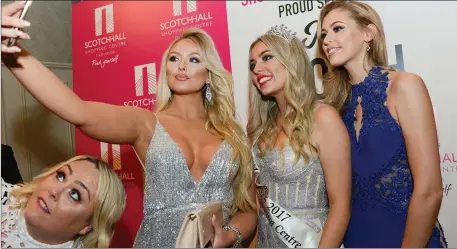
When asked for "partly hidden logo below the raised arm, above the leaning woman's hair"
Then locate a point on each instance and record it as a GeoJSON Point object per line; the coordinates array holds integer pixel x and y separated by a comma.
{"type": "Point", "coordinates": [111, 154]}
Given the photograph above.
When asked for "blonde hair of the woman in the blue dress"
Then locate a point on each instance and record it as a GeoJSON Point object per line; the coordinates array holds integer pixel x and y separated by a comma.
{"type": "Point", "coordinates": [336, 83]}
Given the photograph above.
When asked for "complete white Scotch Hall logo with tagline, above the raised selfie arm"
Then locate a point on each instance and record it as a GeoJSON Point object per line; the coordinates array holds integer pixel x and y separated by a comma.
{"type": "Point", "coordinates": [107, 40]}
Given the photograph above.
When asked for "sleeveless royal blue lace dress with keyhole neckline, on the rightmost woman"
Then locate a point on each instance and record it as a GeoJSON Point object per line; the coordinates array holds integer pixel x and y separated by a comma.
{"type": "Point", "coordinates": [382, 183]}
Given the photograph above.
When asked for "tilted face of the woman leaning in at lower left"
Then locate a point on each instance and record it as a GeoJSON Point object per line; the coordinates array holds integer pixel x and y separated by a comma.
{"type": "Point", "coordinates": [64, 201]}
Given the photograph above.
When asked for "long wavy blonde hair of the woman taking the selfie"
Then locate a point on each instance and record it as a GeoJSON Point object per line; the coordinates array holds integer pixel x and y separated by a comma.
{"type": "Point", "coordinates": [220, 112]}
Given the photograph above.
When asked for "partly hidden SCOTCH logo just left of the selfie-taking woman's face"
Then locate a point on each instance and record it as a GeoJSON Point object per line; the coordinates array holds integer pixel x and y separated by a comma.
{"type": "Point", "coordinates": [145, 86]}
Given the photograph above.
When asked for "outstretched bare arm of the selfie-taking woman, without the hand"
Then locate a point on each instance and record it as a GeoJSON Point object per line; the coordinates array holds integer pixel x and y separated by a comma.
{"type": "Point", "coordinates": [102, 122]}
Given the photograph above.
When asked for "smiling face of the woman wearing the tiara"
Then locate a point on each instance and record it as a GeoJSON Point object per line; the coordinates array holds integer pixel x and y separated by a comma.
{"type": "Point", "coordinates": [267, 72]}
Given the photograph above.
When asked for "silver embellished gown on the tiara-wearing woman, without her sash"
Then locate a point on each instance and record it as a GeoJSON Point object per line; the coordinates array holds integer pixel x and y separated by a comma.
{"type": "Point", "coordinates": [299, 188]}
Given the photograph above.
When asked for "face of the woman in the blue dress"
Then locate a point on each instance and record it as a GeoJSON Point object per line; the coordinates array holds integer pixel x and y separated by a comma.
{"type": "Point", "coordinates": [343, 40]}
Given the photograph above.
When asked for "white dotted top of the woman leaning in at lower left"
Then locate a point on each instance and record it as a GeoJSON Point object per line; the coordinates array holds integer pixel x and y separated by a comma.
{"type": "Point", "coordinates": [14, 231]}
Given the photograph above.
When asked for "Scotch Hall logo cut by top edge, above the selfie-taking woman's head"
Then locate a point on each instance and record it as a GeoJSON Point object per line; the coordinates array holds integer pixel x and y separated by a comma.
{"type": "Point", "coordinates": [185, 15]}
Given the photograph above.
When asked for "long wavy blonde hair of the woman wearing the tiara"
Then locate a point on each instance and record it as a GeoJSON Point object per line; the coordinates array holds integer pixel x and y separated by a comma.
{"type": "Point", "coordinates": [299, 93]}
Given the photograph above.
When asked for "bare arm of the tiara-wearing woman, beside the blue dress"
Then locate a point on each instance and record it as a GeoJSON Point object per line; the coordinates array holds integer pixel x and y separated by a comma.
{"type": "Point", "coordinates": [332, 139]}
